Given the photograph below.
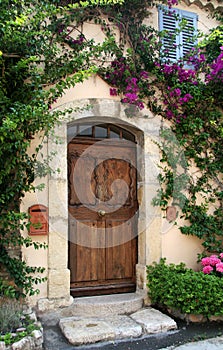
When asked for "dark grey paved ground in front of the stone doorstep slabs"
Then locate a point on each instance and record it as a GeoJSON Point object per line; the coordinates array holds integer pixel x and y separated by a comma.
{"type": "Point", "coordinates": [53, 340]}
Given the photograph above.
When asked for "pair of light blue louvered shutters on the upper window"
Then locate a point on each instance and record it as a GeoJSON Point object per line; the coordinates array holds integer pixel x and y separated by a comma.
{"type": "Point", "coordinates": [177, 45]}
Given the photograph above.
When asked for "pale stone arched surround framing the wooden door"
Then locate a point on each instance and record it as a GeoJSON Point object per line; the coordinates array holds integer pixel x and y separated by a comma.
{"type": "Point", "coordinates": [145, 126]}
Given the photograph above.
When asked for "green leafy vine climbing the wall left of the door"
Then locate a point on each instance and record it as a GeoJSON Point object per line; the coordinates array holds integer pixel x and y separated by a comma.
{"type": "Point", "coordinates": [34, 53]}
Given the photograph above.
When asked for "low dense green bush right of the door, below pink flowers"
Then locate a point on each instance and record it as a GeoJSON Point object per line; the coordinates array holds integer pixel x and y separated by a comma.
{"type": "Point", "coordinates": [190, 292]}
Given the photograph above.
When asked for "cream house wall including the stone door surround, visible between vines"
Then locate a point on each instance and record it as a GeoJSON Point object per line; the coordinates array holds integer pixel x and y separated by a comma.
{"type": "Point", "coordinates": [157, 237]}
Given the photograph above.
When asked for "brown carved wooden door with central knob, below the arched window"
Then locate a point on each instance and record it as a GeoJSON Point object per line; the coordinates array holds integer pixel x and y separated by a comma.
{"type": "Point", "coordinates": [102, 216]}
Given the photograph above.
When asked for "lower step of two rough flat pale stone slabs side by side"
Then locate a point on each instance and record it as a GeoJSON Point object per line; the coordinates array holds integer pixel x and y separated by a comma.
{"type": "Point", "coordinates": [88, 330]}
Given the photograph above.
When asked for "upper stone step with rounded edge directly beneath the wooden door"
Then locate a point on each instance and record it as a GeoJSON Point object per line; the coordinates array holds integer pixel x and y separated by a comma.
{"type": "Point", "coordinates": [114, 304]}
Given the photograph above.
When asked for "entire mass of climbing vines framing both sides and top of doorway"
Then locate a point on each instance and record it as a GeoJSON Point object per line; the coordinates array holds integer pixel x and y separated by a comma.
{"type": "Point", "coordinates": [45, 46]}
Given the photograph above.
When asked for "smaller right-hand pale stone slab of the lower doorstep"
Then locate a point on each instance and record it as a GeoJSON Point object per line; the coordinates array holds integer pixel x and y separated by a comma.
{"type": "Point", "coordinates": [153, 321]}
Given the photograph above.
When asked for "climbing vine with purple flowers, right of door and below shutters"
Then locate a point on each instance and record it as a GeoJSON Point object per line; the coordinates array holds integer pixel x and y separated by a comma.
{"type": "Point", "coordinates": [190, 99]}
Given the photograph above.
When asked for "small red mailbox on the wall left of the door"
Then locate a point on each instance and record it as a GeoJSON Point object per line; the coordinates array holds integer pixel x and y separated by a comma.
{"type": "Point", "coordinates": [38, 220]}
